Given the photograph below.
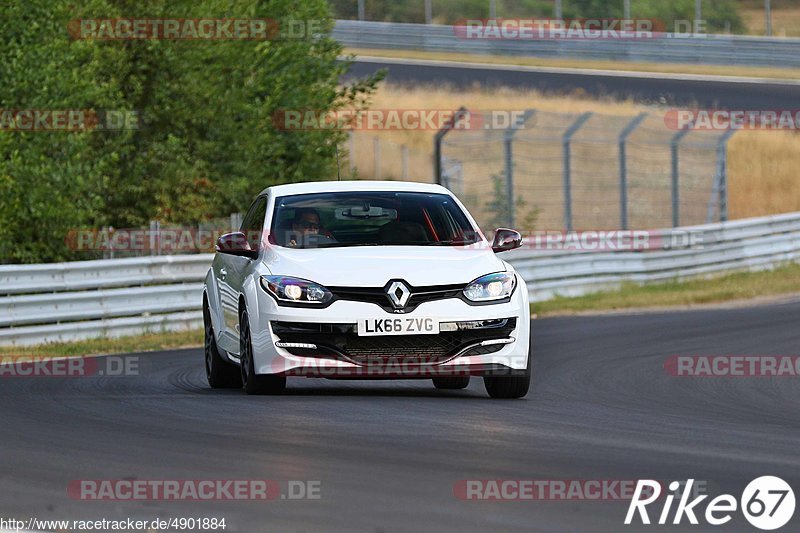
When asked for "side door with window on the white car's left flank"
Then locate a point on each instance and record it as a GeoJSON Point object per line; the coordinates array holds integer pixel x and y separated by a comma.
{"type": "Point", "coordinates": [234, 268]}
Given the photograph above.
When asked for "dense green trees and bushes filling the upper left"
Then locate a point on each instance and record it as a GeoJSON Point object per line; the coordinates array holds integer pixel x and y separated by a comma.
{"type": "Point", "coordinates": [206, 143]}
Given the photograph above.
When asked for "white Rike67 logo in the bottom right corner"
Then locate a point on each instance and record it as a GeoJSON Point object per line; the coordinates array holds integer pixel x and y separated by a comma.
{"type": "Point", "coordinates": [767, 503]}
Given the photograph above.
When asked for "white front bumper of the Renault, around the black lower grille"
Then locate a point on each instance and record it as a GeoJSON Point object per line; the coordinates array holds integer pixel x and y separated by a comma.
{"type": "Point", "coordinates": [310, 342]}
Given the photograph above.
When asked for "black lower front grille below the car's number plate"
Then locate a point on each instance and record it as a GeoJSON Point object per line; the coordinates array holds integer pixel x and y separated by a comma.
{"type": "Point", "coordinates": [341, 341]}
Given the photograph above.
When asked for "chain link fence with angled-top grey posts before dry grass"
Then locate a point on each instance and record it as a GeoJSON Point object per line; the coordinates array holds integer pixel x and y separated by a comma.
{"type": "Point", "coordinates": [586, 171]}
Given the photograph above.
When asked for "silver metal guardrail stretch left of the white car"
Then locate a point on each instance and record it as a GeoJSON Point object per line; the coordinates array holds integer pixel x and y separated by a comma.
{"type": "Point", "coordinates": [111, 297]}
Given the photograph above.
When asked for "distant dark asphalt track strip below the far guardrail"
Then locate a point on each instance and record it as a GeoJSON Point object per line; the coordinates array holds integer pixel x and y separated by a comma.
{"type": "Point", "coordinates": [706, 92]}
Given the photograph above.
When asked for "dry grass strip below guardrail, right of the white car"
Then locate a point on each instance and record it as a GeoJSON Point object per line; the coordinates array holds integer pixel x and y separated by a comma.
{"type": "Point", "coordinates": [730, 287]}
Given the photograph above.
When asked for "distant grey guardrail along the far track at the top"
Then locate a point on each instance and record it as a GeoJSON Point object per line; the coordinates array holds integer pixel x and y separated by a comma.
{"type": "Point", "coordinates": [667, 48]}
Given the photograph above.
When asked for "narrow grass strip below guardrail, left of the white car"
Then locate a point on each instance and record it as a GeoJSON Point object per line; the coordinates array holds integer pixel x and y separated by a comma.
{"type": "Point", "coordinates": [169, 340]}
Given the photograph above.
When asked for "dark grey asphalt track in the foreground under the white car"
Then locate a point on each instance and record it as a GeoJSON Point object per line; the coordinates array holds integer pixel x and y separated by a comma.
{"type": "Point", "coordinates": [387, 454]}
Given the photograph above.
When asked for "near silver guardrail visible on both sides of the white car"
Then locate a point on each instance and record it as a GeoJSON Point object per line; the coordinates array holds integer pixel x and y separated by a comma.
{"type": "Point", "coordinates": [115, 297]}
